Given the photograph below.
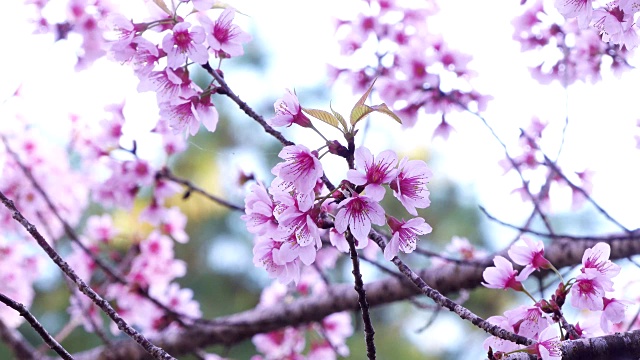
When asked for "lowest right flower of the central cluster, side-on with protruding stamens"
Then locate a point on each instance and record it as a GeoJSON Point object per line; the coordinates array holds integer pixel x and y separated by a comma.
{"type": "Point", "coordinates": [405, 235]}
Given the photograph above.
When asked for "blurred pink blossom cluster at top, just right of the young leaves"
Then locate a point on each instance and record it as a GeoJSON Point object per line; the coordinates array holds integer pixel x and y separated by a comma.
{"type": "Point", "coordinates": [417, 71]}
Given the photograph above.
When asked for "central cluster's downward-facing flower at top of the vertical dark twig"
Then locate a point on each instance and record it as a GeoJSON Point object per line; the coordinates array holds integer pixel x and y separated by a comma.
{"type": "Point", "coordinates": [357, 213]}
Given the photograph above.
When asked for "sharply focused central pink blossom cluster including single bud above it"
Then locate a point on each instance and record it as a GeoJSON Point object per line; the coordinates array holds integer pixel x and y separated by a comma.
{"type": "Point", "coordinates": [292, 215]}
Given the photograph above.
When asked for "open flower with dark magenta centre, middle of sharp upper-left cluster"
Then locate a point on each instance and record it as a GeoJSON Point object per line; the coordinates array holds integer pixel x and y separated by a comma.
{"type": "Point", "coordinates": [184, 42]}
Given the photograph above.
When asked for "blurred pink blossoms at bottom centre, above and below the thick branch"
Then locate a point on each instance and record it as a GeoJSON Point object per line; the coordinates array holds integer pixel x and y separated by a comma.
{"type": "Point", "coordinates": [326, 338]}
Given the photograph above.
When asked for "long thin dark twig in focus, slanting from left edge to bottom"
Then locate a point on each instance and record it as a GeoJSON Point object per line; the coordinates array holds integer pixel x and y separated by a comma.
{"type": "Point", "coordinates": [155, 351]}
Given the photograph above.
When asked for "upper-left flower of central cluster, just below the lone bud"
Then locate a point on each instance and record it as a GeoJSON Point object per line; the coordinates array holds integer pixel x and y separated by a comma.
{"type": "Point", "coordinates": [301, 167]}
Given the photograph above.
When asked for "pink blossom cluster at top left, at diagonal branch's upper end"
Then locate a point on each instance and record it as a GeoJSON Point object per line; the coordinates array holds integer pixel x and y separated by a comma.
{"type": "Point", "coordinates": [160, 50]}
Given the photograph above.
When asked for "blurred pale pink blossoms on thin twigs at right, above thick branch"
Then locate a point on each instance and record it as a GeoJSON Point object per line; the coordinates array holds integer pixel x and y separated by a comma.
{"type": "Point", "coordinates": [531, 163]}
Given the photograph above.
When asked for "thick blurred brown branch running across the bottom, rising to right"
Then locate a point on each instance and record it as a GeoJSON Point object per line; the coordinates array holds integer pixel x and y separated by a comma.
{"type": "Point", "coordinates": [447, 278]}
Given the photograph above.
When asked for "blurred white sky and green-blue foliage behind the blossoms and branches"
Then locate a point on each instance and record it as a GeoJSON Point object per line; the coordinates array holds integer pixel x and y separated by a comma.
{"type": "Point", "coordinates": [293, 41]}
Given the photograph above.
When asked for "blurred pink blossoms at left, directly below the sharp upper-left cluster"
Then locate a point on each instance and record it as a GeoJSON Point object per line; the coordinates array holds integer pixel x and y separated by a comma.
{"type": "Point", "coordinates": [151, 265]}
